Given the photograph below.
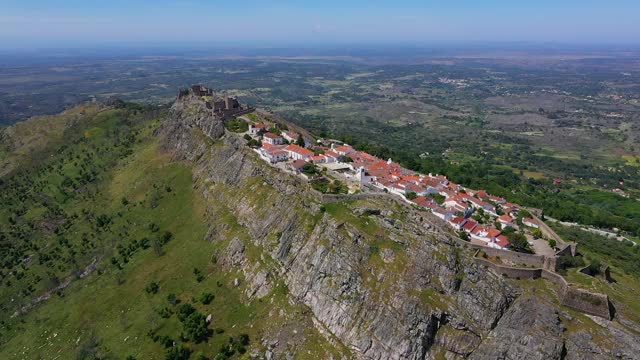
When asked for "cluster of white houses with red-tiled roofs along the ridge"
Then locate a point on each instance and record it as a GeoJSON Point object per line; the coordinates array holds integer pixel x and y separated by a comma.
{"type": "Point", "coordinates": [476, 215]}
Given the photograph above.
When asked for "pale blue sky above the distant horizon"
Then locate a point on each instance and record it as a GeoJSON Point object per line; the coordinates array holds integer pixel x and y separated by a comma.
{"type": "Point", "coordinates": [52, 23]}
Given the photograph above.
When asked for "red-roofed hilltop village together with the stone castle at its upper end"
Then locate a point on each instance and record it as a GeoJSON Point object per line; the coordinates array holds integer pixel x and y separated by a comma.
{"type": "Point", "coordinates": [334, 167]}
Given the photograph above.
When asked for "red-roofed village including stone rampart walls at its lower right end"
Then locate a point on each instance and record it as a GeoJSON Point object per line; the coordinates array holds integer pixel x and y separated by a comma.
{"type": "Point", "coordinates": [507, 238]}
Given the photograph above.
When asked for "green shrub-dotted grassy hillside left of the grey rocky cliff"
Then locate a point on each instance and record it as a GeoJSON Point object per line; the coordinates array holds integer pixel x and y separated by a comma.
{"type": "Point", "coordinates": [109, 196]}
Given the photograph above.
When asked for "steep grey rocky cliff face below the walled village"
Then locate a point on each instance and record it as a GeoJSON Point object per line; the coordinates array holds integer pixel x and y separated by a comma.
{"type": "Point", "coordinates": [388, 286]}
